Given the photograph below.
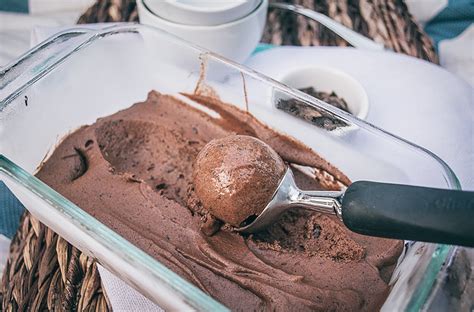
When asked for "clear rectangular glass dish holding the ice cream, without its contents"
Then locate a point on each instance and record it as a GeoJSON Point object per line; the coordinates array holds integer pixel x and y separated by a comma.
{"type": "Point", "coordinates": [82, 74]}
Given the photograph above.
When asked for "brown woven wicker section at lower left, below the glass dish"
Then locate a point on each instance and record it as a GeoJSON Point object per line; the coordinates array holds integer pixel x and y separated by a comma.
{"type": "Point", "coordinates": [44, 272]}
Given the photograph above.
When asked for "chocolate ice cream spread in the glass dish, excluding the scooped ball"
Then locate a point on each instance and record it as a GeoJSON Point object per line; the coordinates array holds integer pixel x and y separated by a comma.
{"type": "Point", "coordinates": [133, 171]}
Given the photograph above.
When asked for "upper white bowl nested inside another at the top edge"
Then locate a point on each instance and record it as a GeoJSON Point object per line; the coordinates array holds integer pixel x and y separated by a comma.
{"type": "Point", "coordinates": [202, 12]}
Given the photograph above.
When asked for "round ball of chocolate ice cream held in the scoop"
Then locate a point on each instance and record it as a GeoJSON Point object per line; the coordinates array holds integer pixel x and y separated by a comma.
{"type": "Point", "coordinates": [236, 176]}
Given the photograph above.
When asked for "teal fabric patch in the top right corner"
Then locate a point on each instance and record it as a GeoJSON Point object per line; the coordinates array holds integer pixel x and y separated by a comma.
{"type": "Point", "coordinates": [451, 21]}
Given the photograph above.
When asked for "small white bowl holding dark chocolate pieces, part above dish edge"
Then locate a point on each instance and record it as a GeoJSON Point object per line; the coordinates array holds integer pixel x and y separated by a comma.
{"type": "Point", "coordinates": [327, 80]}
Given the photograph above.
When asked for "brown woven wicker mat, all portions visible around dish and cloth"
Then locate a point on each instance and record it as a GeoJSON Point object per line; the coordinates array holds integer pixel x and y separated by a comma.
{"type": "Point", "coordinates": [46, 272]}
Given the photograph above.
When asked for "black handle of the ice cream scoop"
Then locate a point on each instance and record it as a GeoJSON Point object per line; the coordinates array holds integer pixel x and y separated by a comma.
{"type": "Point", "coordinates": [410, 212]}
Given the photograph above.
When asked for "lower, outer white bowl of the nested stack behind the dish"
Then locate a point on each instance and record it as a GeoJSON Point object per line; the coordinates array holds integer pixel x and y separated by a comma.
{"type": "Point", "coordinates": [235, 40]}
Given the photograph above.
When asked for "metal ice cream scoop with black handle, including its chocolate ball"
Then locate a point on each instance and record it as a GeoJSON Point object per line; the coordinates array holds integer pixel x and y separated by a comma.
{"type": "Point", "coordinates": [370, 208]}
